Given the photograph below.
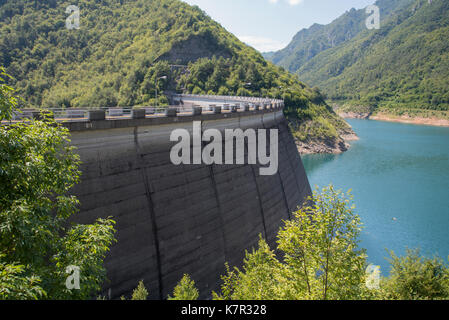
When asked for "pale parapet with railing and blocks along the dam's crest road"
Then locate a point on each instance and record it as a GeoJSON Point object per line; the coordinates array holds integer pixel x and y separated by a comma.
{"type": "Point", "coordinates": [184, 105]}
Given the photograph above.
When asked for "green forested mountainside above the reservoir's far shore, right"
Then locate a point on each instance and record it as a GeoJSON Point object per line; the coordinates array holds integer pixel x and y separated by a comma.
{"type": "Point", "coordinates": [400, 68]}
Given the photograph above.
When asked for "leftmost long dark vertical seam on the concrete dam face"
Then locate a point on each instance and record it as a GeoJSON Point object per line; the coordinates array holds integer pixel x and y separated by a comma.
{"type": "Point", "coordinates": [152, 214]}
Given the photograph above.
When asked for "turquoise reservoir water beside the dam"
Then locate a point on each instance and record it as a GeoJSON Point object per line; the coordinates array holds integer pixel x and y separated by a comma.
{"type": "Point", "coordinates": [399, 174]}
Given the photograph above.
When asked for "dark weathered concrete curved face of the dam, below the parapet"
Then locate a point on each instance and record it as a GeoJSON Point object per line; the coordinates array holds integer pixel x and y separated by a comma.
{"type": "Point", "coordinates": [186, 219]}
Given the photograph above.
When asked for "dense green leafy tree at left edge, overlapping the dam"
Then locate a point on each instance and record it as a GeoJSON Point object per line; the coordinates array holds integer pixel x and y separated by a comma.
{"type": "Point", "coordinates": [37, 169]}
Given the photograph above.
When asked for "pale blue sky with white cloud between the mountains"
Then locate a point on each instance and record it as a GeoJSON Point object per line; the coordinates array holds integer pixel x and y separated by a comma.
{"type": "Point", "coordinates": [270, 24]}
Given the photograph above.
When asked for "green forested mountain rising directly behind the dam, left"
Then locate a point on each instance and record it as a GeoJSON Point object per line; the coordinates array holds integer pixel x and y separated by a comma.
{"type": "Point", "coordinates": [123, 46]}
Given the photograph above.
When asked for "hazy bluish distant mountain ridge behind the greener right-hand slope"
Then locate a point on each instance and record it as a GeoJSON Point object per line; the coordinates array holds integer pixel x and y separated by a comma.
{"type": "Point", "coordinates": [307, 43]}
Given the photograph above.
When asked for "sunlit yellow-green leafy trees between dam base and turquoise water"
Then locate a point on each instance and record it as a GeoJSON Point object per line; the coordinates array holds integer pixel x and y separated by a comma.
{"type": "Point", "coordinates": [321, 259]}
